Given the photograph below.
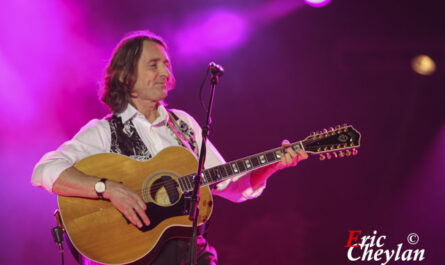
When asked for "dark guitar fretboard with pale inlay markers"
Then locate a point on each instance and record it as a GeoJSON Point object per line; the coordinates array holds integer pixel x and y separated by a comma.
{"type": "Point", "coordinates": [230, 169]}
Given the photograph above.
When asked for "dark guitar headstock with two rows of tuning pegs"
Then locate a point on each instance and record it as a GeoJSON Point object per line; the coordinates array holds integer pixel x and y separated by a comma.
{"type": "Point", "coordinates": [336, 142]}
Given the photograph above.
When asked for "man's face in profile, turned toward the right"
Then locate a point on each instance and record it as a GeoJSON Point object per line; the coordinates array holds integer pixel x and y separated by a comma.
{"type": "Point", "coordinates": [154, 73]}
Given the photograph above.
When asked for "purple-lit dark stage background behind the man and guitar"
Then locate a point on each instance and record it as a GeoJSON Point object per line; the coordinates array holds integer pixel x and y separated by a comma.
{"type": "Point", "coordinates": [290, 69]}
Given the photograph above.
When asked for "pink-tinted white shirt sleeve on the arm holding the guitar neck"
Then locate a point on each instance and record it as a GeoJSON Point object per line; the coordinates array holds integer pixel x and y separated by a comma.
{"type": "Point", "coordinates": [237, 188]}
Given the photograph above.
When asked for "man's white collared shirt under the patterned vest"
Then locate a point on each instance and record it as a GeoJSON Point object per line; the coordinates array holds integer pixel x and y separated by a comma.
{"type": "Point", "coordinates": [95, 137]}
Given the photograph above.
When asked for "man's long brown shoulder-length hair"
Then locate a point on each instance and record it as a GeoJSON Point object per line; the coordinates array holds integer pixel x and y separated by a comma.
{"type": "Point", "coordinates": [121, 71]}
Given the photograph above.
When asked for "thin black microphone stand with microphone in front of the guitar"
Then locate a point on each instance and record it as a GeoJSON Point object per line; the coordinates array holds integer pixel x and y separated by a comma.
{"type": "Point", "coordinates": [216, 72]}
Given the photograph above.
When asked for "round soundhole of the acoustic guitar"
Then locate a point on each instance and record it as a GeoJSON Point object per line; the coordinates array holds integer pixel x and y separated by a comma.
{"type": "Point", "coordinates": [164, 191]}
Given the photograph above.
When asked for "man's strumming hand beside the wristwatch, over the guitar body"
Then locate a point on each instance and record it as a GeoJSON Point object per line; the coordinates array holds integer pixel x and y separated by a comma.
{"type": "Point", "coordinates": [127, 202]}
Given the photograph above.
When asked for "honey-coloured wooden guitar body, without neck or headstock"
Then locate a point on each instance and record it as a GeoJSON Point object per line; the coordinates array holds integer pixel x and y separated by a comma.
{"type": "Point", "coordinates": [99, 232]}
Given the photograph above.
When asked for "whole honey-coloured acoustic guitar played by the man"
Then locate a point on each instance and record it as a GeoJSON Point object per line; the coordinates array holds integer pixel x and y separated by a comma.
{"type": "Point", "coordinates": [100, 233]}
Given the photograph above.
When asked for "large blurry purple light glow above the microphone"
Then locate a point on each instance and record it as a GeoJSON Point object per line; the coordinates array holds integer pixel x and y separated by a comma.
{"type": "Point", "coordinates": [222, 29]}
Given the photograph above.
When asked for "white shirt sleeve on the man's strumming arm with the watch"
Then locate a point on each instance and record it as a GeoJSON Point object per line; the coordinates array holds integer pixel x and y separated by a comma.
{"type": "Point", "coordinates": [93, 138]}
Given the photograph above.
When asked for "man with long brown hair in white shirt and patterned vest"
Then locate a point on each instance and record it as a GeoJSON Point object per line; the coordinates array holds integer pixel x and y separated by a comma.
{"type": "Point", "coordinates": [137, 80]}
